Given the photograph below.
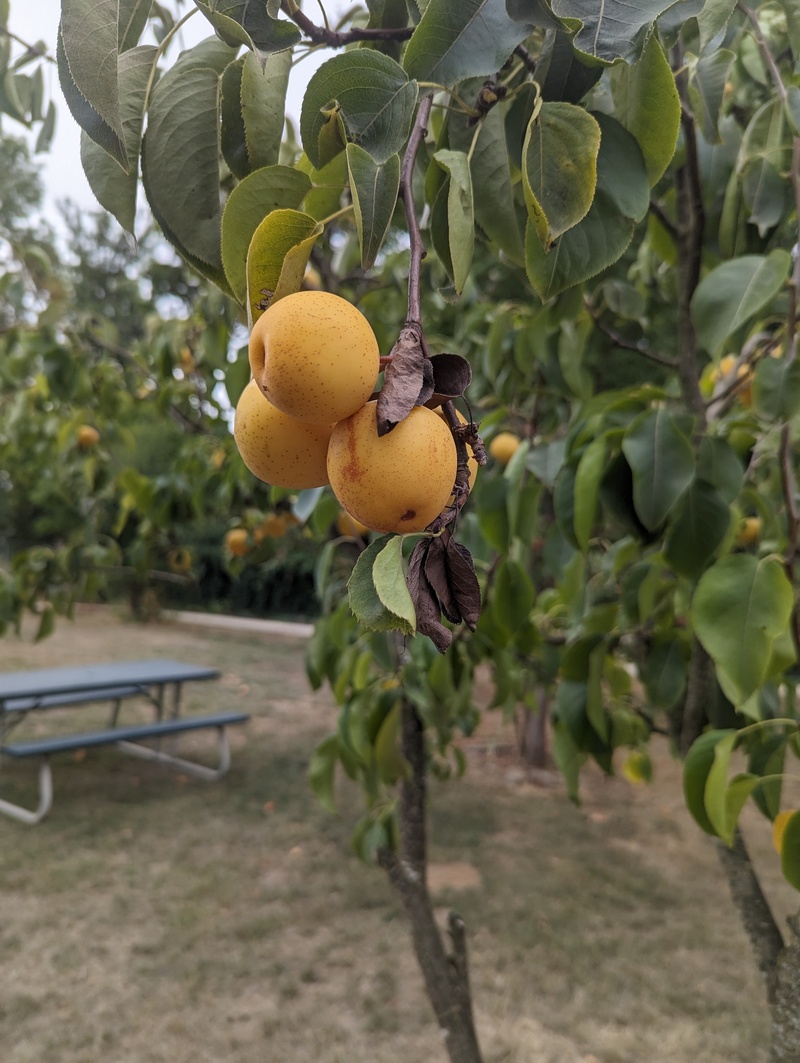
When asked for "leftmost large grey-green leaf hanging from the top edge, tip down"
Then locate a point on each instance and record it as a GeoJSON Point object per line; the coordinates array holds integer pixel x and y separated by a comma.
{"type": "Point", "coordinates": [88, 54]}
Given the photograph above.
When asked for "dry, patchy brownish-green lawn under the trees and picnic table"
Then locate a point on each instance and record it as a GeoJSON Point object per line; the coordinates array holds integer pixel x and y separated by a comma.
{"type": "Point", "coordinates": [154, 918]}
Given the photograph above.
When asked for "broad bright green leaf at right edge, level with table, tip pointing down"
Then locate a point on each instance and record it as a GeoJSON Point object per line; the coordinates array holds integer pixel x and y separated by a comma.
{"type": "Point", "coordinates": [741, 610]}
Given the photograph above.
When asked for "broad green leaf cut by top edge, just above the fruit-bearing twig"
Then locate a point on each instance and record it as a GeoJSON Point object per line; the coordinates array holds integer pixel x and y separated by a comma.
{"type": "Point", "coordinates": [463, 39]}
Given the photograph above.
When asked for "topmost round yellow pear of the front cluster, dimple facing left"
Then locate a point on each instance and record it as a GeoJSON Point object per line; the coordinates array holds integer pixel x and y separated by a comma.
{"type": "Point", "coordinates": [315, 357]}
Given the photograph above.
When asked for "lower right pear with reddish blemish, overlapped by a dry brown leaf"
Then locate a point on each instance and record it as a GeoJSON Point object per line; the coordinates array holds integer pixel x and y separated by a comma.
{"type": "Point", "coordinates": [400, 482]}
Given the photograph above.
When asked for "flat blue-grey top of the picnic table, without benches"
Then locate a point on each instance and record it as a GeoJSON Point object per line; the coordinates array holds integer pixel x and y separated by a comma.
{"type": "Point", "coordinates": [40, 683]}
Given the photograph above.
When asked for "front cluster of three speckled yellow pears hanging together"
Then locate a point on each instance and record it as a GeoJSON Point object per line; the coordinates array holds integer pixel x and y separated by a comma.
{"type": "Point", "coordinates": [308, 418]}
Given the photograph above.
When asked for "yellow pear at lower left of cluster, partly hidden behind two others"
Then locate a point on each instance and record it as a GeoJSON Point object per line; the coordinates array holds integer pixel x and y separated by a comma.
{"type": "Point", "coordinates": [279, 449]}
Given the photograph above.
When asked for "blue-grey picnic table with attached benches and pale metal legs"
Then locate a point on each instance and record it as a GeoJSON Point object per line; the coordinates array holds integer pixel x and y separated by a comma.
{"type": "Point", "coordinates": [160, 682]}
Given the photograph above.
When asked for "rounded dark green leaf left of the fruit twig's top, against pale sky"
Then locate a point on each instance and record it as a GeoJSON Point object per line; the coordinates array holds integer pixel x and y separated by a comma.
{"type": "Point", "coordinates": [372, 96]}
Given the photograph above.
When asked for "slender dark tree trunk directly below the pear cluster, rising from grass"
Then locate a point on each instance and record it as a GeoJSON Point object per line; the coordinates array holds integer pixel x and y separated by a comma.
{"type": "Point", "coordinates": [446, 975]}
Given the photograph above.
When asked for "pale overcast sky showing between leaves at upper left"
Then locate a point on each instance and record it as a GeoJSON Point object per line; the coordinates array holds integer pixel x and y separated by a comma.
{"type": "Point", "coordinates": [61, 167]}
